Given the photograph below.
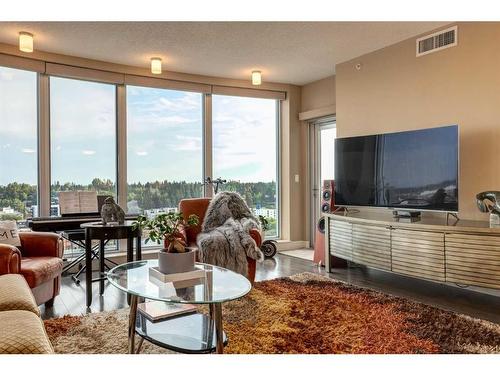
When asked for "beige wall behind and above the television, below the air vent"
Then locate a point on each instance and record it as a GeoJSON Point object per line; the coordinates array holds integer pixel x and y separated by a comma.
{"type": "Point", "coordinates": [395, 90]}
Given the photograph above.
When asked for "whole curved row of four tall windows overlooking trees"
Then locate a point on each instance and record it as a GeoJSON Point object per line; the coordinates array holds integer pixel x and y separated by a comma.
{"type": "Point", "coordinates": [166, 151]}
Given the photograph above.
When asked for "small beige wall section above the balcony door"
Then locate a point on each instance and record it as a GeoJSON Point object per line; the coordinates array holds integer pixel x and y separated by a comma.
{"type": "Point", "coordinates": [318, 94]}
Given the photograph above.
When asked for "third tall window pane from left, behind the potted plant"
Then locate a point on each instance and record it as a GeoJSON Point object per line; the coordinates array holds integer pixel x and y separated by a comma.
{"type": "Point", "coordinates": [164, 149]}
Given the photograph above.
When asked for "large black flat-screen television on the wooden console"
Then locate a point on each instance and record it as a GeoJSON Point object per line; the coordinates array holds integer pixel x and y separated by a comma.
{"type": "Point", "coordinates": [412, 170]}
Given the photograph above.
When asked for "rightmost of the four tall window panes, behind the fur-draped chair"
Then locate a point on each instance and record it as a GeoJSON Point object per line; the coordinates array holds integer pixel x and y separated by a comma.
{"type": "Point", "coordinates": [245, 152]}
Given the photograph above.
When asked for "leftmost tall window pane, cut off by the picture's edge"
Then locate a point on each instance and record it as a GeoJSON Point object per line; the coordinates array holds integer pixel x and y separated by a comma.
{"type": "Point", "coordinates": [18, 144]}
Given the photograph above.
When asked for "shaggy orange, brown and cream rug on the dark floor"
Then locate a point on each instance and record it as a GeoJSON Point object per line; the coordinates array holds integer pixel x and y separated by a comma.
{"type": "Point", "coordinates": [305, 313]}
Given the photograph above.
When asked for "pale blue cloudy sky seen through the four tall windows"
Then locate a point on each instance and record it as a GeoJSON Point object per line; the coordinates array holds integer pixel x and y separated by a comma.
{"type": "Point", "coordinates": [164, 135]}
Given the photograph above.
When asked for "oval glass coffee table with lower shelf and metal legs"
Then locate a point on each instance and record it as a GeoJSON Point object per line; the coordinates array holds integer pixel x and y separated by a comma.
{"type": "Point", "coordinates": [192, 333]}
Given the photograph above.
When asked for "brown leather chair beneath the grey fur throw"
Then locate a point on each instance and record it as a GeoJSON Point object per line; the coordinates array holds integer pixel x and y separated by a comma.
{"type": "Point", "coordinates": [198, 207]}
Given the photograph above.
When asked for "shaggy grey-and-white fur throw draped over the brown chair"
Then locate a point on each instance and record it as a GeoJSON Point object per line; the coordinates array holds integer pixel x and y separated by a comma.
{"type": "Point", "coordinates": [224, 239]}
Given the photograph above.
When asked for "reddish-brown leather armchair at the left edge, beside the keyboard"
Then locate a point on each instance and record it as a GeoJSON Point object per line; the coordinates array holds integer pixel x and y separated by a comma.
{"type": "Point", "coordinates": [39, 260]}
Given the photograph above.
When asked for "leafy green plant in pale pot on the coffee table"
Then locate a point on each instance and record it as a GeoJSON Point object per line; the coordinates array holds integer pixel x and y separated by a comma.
{"type": "Point", "coordinates": [175, 257]}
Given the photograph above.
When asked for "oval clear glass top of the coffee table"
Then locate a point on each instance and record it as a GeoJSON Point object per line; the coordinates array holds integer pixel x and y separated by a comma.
{"type": "Point", "coordinates": [219, 285]}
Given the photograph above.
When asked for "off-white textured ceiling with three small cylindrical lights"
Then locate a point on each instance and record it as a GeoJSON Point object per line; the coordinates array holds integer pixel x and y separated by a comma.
{"type": "Point", "coordinates": [288, 52]}
